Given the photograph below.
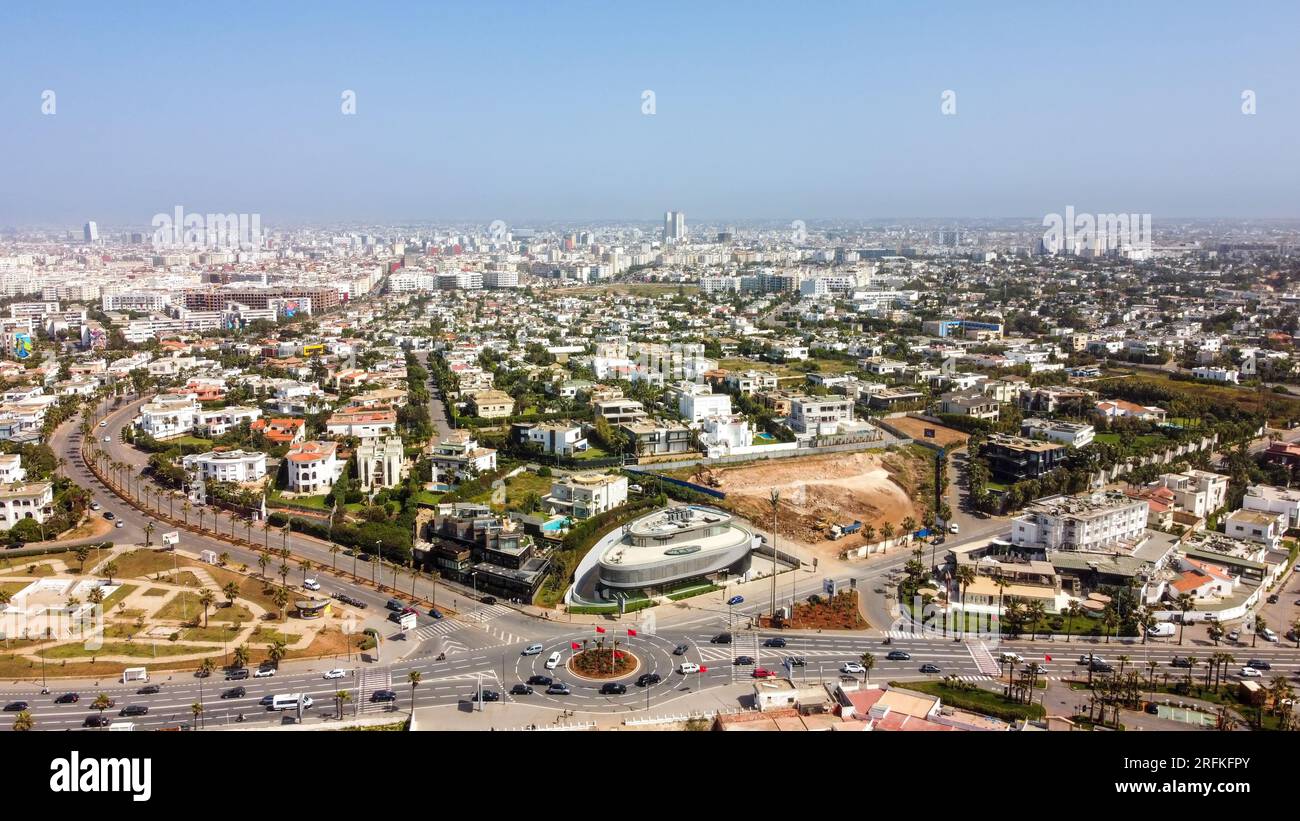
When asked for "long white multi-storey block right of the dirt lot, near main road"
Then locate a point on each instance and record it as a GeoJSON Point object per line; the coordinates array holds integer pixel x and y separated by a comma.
{"type": "Point", "coordinates": [1099, 523]}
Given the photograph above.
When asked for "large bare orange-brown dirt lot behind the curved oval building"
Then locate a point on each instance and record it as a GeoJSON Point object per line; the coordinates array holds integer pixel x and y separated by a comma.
{"type": "Point", "coordinates": [818, 492]}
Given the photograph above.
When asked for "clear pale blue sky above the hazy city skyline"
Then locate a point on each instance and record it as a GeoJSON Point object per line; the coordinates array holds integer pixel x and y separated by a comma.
{"type": "Point", "coordinates": [534, 111]}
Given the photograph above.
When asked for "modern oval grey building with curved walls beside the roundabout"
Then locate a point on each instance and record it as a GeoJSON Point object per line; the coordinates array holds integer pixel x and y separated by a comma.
{"type": "Point", "coordinates": [673, 546]}
